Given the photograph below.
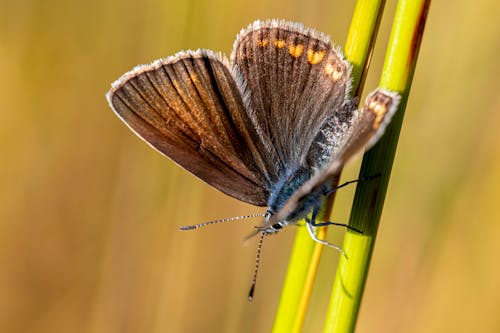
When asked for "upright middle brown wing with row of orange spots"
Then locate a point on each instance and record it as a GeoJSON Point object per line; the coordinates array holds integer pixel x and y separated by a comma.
{"type": "Point", "coordinates": [298, 81]}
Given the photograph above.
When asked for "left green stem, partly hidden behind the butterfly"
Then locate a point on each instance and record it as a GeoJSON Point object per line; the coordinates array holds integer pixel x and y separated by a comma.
{"type": "Point", "coordinates": [306, 253]}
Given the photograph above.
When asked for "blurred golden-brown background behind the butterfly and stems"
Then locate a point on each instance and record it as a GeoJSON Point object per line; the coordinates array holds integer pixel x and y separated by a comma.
{"type": "Point", "coordinates": [89, 214]}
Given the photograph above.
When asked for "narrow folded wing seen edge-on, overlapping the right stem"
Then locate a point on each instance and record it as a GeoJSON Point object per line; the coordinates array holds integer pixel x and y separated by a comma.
{"type": "Point", "coordinates": [377, 112]}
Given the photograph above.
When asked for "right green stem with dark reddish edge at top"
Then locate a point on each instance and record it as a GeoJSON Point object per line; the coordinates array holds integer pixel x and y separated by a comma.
{"type": "Point", "coordinates": [397, 75]}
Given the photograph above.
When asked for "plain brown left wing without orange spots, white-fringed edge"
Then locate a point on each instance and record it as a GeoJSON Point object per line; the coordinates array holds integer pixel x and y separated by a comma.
{"type": "Point", "coordinates": [190, 108]}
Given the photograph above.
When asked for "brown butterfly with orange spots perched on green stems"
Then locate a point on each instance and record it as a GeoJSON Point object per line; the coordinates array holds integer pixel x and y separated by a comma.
{"type": "Point", "coordinates": [270, 126]}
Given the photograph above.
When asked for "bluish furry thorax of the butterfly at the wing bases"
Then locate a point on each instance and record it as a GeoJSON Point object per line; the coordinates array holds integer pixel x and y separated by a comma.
{"type": "Point", "coordinates": [284, 189]}
